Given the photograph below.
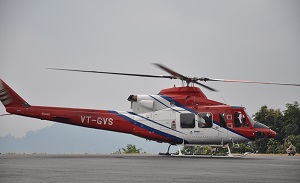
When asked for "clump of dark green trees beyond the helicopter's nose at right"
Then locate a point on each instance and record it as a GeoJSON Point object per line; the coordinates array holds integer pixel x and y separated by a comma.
{"type": "Point", "coordinates": [286, 124]}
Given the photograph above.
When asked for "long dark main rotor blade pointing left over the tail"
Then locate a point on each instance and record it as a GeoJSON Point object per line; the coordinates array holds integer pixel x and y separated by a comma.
{"type": "Point", "coordinates": [115, 73]}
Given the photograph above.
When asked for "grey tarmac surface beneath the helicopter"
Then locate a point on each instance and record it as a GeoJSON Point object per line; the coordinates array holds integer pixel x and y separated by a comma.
{"type": "Point", "coordinates": [147, 168]}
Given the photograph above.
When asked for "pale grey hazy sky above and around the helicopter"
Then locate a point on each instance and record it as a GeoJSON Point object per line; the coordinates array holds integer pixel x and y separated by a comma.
{"type": "Point", "coordinates": [248, 40]}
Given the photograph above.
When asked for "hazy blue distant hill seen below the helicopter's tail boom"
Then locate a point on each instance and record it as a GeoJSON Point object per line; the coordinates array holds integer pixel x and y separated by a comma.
{"type": "Point", "coordinates": [63, 139]}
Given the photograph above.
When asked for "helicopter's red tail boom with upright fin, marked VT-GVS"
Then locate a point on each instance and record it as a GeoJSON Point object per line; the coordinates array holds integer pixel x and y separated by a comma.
{"type": "Point", "coordinates": [123, 122]}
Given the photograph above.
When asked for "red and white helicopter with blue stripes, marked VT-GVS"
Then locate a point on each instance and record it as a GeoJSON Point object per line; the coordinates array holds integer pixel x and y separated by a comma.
{"type": "Point", "coordinates": [178, 115]}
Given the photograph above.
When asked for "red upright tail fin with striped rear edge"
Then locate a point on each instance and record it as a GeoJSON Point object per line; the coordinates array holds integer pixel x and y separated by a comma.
{"type": "Point", "coordinates": [10, 98]}
